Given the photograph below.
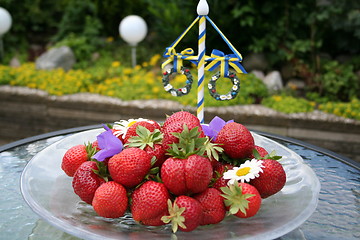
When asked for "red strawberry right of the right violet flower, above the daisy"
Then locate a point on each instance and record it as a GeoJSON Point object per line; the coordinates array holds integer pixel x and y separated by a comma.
{"type": "Point", "coordinates": [236, 140]}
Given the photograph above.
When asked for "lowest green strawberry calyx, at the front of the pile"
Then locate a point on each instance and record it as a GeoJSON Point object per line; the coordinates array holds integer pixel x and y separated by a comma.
{"type": "Point", "coordinates": [175, 216]}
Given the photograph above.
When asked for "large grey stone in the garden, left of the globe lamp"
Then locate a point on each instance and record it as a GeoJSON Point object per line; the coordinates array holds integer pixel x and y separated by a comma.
{"type": "Point", "coordinates": [62, 57]}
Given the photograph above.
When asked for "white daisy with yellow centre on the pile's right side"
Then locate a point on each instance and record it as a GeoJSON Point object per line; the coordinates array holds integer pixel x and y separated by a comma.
{"type": "Point", "coordinates": [247, 171]}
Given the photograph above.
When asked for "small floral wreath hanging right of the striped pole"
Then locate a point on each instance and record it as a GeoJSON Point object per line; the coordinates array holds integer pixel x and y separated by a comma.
{"type": "Point", "coordinates": [231, 94]}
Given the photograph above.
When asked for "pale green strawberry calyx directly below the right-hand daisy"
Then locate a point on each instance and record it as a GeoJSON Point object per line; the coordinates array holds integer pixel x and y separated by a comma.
{"type": "Point", "coordinates": [235, 198]}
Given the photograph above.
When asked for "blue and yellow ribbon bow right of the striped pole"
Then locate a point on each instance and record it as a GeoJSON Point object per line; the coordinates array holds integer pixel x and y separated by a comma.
{"type": "Point", "coordinates": [219, 58]}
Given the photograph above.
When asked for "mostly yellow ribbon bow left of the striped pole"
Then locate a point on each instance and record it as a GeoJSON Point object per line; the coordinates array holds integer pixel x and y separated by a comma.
{"type": "Point", "coordinates": [177, 58]}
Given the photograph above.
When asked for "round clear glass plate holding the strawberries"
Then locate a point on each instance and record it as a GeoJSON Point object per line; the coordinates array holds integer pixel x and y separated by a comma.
{"type": "Point", "coordinates": [48, 191]}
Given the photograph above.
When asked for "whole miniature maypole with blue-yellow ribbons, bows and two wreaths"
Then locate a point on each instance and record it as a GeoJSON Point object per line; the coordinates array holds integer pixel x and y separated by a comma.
{"type": "Point", "coordinates": [174, 64]}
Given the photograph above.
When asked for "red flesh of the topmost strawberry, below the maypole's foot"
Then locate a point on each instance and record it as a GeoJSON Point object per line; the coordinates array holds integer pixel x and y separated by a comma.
{"type": "Point", "coordinates": [175, 124]}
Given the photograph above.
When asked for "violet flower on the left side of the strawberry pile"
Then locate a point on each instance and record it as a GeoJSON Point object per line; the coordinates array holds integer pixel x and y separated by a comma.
{"type": "Point", "coordinates": [109, 145]}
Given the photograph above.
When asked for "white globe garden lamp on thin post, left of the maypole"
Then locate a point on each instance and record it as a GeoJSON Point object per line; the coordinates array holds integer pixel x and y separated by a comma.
{"type": "Point", "coordinates": [133, 30]}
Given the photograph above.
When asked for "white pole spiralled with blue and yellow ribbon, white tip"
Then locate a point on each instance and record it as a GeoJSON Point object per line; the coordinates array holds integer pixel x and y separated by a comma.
{"type": "Point", "coordinates": [202, 10]}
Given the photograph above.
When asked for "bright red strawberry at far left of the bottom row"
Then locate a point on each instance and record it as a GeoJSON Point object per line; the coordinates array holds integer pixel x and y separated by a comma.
{"type": "Point", "coordinates": [110, 200]}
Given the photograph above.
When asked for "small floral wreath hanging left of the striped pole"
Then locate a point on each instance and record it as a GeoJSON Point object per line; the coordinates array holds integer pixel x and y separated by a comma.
{"type": "Point", "coordinates": [181, 91]}
